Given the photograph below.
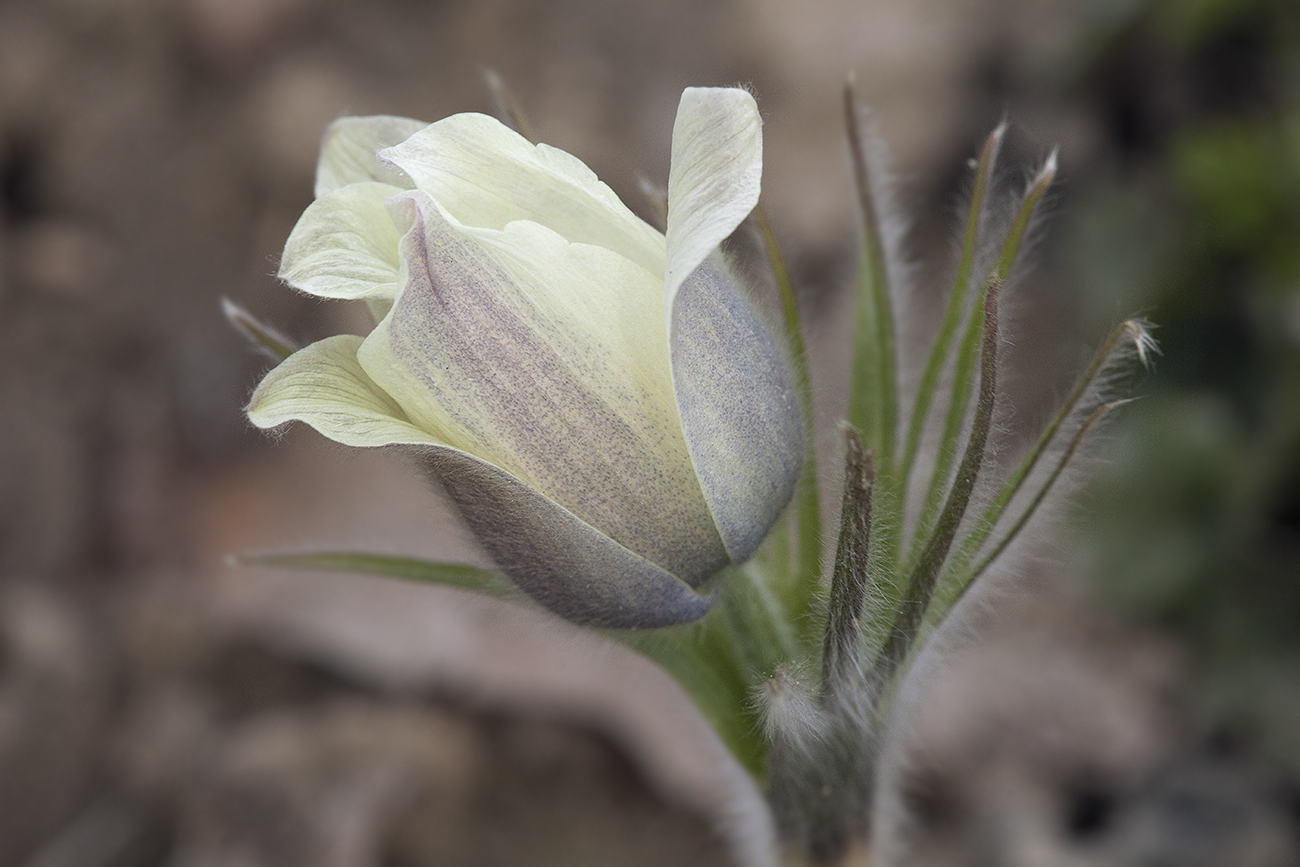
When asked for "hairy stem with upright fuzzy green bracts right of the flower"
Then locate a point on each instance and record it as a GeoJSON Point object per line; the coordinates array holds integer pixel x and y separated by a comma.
{"type": "Point", "coordinates": [928, 506]}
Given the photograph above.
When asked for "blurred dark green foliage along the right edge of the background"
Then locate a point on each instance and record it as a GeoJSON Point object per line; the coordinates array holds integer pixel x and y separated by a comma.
{"type": "Point", "coordinates": [1197, 522]}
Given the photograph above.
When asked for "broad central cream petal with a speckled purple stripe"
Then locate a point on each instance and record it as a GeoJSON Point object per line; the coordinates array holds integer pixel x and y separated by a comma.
{"type": "Point", "coordinates": [549, 361]}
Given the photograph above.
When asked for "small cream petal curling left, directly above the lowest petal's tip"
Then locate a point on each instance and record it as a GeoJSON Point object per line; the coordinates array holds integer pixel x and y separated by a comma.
{"type": "Point", "coordinates": [345, 245]}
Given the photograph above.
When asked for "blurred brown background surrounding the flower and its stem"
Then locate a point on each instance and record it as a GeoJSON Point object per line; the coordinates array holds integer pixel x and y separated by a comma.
{"type": "Point", "coordinates": [161, 708]}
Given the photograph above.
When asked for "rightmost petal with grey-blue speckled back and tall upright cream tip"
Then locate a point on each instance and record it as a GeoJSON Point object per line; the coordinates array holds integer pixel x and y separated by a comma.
{"type": "Point", "coordinates": [739, 409]}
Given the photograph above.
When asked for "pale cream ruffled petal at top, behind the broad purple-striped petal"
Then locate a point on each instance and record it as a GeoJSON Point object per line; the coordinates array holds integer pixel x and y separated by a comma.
{"type": "Point", "coordinates": [488, 176]}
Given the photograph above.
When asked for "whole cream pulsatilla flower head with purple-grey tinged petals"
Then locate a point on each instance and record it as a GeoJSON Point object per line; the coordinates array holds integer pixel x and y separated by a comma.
{"type": "Point", "coordinates": [601, 402]}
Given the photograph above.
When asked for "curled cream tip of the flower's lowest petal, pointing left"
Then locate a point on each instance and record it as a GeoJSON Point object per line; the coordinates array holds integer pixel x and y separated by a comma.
{"type": "Point", "coordinates": [323, 385]}
